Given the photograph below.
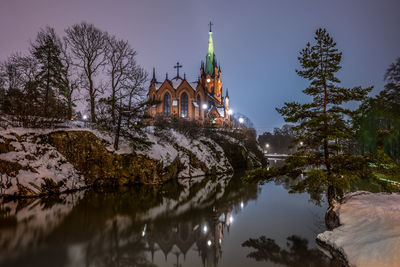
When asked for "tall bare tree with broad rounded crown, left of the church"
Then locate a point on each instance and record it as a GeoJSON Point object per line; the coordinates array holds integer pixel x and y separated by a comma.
{"type": "Point", "coordinates": [88, 45]}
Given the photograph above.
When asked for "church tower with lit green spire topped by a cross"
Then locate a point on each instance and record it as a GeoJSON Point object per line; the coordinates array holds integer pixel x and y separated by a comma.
{"type": "Point", "coordinates": [210, 72]}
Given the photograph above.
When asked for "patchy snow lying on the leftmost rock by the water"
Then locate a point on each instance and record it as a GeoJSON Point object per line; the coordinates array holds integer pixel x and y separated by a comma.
{"type": "Point", "coordinates": [39, 161]}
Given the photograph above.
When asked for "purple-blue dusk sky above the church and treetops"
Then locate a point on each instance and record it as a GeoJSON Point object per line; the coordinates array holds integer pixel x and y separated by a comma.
{"type": "Point", "coordinates": [257, 42]}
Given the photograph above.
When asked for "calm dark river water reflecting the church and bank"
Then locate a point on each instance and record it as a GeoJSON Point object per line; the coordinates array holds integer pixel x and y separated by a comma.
{"type": "Point", "coordinates": [208, 222]}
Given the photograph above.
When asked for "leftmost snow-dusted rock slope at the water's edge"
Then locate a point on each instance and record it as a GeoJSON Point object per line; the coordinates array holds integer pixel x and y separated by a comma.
{"type": "Point", "coordinates": [33, 167]}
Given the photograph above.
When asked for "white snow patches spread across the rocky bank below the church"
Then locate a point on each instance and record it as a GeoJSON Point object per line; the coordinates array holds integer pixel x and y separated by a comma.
{"type": "Point", "coordinates": [40, 161]}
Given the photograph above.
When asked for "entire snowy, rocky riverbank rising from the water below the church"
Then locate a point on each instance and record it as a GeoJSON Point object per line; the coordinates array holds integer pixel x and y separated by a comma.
{"type": "Point", "coordinates": [35, 162]}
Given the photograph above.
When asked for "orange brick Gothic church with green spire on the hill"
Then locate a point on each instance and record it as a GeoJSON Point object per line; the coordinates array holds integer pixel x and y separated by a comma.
{"type": "Point", "coordinates": [201, 101]}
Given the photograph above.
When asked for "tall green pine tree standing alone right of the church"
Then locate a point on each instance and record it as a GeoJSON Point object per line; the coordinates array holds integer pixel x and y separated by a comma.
{"type": "Point", "coordinates": [320, 124]}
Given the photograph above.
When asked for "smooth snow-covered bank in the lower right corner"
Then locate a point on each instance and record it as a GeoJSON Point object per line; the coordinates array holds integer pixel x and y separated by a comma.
{"type": "Point", "coordinates": [369, 234]}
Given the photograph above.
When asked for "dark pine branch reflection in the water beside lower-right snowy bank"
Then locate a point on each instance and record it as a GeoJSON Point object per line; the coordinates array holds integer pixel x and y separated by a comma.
{"type": "Point", "coordinates": [296, 252]}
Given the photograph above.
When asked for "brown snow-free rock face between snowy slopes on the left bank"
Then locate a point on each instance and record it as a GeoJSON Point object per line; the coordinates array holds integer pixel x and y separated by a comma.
{"type": "Point", "coordinates": [88, 155]}
